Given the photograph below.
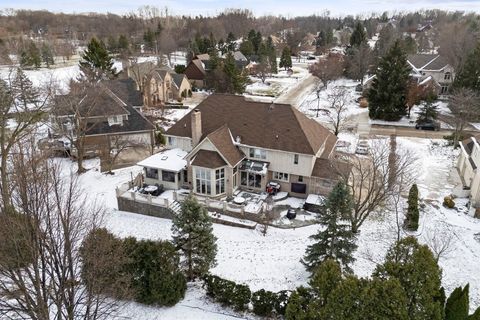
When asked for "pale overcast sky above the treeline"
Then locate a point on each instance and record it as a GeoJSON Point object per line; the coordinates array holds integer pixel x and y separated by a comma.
{"type": "Point", "coordinates": [276, 7]}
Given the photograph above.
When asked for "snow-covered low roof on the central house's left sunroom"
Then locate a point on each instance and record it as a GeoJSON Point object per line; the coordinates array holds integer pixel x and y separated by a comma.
{"type": "Point", "coordinates": [169, 160]}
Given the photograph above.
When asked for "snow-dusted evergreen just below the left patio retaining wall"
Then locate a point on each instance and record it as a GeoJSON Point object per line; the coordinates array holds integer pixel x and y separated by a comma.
{"type": "Point", "coordinates": [193, 236]}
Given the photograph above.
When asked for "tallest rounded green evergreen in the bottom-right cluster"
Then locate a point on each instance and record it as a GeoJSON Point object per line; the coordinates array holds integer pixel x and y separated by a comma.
{"type": "Point", "coordinates": [415, 267]}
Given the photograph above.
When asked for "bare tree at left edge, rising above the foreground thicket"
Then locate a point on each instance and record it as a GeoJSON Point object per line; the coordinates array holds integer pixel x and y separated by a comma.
{"type": "Point", "coordinates": [22, 107]}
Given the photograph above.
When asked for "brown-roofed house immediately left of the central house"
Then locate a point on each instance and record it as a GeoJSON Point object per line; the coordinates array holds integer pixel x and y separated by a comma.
{"type": "Point", "coordinates": [107, 116]}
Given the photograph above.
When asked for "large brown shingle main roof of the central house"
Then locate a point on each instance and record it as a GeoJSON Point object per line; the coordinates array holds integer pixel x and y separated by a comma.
{"type": "Point", "coordinates": [259, 124]}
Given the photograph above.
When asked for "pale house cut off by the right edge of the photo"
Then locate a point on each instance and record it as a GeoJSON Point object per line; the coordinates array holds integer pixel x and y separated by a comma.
{"type": "Point", "coordinates": [467, 165]}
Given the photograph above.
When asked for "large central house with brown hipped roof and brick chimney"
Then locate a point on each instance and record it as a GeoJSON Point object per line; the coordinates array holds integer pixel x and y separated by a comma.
{"type": "Point", "coordinates": [232, 143]}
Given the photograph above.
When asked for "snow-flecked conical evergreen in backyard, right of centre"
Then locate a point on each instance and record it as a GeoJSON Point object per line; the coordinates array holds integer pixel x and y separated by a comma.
{"type": "Point", "coordinates": [336, 241]}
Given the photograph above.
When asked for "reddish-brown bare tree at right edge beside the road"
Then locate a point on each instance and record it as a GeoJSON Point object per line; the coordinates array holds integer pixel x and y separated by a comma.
{"type": "Point", "coordinates": [465, 106]}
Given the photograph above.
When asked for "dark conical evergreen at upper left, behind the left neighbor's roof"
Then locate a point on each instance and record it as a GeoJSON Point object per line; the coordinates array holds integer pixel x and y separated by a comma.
{"type": "Point", "coordinates": [96, 63]}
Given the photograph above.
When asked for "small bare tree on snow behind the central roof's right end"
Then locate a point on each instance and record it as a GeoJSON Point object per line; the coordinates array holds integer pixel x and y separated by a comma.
{"type": "Point", "coordinates": [338, 108]}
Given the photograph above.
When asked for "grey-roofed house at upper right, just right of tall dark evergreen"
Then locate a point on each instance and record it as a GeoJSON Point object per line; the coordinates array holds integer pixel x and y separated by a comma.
{"type": "Point", "coordinates": [432, 68]}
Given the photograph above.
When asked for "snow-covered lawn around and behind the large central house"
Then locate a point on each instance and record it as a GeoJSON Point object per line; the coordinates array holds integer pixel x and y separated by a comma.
{"type": "Point", "coordinates": [273, 261]}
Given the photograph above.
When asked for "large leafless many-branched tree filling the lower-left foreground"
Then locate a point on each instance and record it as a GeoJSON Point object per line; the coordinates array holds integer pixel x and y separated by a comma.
{"type": "Point", "coordinates": [42, 278]}
